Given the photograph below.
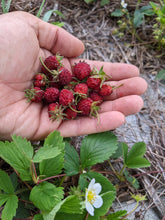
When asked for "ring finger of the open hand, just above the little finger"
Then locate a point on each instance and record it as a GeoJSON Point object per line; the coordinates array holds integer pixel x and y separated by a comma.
{"type": "Point", "coordinates": [127, 105]}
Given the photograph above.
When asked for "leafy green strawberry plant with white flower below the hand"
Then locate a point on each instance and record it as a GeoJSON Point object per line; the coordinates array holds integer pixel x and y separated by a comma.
{"type": "Point", "coordinates": [37, 186]}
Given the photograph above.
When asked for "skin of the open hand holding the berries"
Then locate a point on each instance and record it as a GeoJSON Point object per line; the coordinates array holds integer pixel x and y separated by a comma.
{"type": "Point", "coordinates": [24, 38]}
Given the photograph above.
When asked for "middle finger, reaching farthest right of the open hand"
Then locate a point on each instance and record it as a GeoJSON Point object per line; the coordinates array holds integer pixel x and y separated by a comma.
{"type": "Point", "coordinates": [131, 86]}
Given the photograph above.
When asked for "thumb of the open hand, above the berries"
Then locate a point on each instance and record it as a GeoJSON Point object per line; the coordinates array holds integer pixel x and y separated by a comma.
{"type": "Point", "coordinates": [57, 40]}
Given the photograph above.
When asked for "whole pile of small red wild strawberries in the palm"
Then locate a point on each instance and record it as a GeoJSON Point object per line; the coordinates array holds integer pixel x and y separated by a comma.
{"type": "Point", "coordinates": [69, 95]}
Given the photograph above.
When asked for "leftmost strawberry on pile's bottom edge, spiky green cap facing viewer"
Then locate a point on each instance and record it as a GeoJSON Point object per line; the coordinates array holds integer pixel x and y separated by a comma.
{"type": "Point", "coordinates": [55, 111]}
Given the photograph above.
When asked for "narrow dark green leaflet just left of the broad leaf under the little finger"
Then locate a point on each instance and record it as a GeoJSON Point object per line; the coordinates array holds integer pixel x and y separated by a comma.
{"type": "Point", "coordinates": [71, 163]}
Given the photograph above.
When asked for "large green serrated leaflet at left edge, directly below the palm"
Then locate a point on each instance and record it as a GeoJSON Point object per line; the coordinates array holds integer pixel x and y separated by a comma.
{"type": "Point", "coordinates": [18, 154]}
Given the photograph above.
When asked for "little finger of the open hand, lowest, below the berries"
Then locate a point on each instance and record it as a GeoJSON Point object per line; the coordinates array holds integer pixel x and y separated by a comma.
{"type": "Point", "coordinates": [85, 125]}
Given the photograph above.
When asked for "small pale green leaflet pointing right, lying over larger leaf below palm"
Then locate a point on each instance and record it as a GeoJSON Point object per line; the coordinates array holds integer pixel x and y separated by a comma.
{"type": "Point", "coordinates": [45, 153]}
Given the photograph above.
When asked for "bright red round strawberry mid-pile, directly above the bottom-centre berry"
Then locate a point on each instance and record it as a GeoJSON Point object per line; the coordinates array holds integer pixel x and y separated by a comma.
{"type": "Point", "coordinates": [66, 97]}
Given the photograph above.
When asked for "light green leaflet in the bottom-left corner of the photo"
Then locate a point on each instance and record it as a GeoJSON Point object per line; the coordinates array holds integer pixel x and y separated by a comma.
{"type": "Point", "coordinates": [9, 210]}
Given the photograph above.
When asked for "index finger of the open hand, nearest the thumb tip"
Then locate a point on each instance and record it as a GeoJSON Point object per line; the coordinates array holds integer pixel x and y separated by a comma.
{"type": "Point", "coordinates": [117, 71]}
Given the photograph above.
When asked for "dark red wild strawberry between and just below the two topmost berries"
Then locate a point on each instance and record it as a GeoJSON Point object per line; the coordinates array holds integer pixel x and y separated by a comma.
{"type": "Point", "coordinates": [64, 76]}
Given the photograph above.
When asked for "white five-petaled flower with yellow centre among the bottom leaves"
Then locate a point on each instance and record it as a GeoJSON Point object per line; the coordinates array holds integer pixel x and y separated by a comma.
{"type": "Point", "coordinates": [92, 199]}
